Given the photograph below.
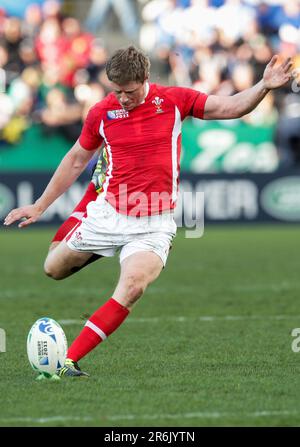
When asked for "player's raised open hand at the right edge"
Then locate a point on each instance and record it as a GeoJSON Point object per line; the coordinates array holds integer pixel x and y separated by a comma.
{"type": "Point", "coordinates": [276, 75]}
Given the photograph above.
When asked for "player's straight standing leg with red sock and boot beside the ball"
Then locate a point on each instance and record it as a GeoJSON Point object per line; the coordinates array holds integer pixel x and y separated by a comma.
{"type": "Point", "coordinates": [137, 272]}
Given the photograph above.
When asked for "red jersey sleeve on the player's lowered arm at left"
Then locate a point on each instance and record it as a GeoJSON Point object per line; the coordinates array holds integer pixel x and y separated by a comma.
{"type": "Point", "coordinates": [90, 138]}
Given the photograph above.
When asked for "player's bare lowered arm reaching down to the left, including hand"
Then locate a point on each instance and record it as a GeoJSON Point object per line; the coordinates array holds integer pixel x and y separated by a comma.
{"type": "Point", "coordinates": [71, 166]}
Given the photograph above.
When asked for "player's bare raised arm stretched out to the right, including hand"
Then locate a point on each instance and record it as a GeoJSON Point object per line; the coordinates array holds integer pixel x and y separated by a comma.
{"type": "Point", "coordinates": [229, 107]}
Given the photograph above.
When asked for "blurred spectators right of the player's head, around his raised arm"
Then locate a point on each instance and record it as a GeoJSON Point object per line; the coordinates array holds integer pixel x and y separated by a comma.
{"type": "Point", "coordinates": [222, 47]}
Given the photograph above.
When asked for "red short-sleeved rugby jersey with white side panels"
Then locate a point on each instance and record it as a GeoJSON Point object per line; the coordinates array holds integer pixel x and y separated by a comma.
{"type": "Point", "coordinates": [143, 147]}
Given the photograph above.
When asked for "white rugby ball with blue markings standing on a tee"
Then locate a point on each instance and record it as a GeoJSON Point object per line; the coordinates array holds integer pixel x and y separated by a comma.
{"type": "Point", "coordinates": [46, 346]}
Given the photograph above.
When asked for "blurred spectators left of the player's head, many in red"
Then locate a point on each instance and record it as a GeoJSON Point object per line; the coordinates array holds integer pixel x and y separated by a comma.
{"type": "Point", "coordinates": [53, 71]}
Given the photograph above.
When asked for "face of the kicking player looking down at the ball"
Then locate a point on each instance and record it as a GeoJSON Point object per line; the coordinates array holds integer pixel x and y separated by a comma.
{"type": "Point", "coordinates": [131, 94]}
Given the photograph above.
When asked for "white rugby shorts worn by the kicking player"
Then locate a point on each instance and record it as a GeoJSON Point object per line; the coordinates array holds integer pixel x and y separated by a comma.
{"type": "Point", "coordinates": [105, 232]}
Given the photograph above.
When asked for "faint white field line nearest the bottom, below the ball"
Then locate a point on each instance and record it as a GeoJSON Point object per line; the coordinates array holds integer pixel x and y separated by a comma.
{"type": "Point", "coordinates": [133, 417]}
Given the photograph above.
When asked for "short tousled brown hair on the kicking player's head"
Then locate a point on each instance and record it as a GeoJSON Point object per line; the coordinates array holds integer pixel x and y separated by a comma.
{"type": "Point", "coordinates": [128, 65]}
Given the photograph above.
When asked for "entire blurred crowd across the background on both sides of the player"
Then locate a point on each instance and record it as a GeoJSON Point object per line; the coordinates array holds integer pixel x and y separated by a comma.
{"type": "Point", "coordinates": [53, 65]}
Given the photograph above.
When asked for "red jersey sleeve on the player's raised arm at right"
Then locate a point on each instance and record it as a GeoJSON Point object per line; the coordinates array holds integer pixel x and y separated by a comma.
{"type": "Point", "coordinates": [190, 102]}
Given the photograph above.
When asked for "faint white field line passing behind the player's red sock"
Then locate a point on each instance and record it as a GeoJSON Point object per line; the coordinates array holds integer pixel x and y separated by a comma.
{"type": "Point", "coordinates": [182, 319]}
